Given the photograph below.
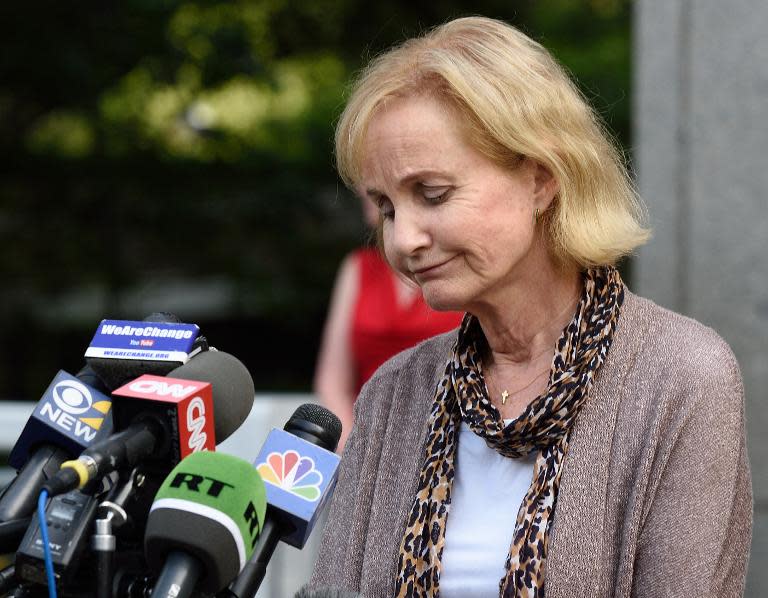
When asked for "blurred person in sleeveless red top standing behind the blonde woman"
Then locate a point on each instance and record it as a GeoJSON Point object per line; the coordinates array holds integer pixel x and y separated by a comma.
{"type": "Point", "coordinates": [374, 314]}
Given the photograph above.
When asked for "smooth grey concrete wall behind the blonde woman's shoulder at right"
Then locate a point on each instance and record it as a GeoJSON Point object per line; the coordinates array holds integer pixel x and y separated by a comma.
{"type": "Point", "coordinates": [701, 150]}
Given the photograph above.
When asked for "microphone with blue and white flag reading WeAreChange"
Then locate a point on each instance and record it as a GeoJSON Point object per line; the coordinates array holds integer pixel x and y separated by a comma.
{"type": "Point", "coordinates": [122, 350]}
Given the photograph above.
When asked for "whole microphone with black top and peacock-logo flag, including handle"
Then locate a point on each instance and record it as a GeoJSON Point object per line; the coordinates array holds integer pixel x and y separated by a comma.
{"type": "Point", "coordinates": [299, 467]}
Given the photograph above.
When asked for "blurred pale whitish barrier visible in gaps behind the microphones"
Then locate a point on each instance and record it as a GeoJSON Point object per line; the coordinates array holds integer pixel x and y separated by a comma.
{"type": "Point", "coordinates": [289, 568]}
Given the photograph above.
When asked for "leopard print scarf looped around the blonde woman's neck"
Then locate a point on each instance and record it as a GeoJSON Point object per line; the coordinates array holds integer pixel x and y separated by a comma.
{"type": "Point", "coordinates": [543, 427]}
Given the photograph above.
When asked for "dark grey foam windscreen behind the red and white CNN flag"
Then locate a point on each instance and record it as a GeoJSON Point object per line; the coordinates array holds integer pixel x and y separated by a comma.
{"type": "Point", "coordinates": [233, 390]}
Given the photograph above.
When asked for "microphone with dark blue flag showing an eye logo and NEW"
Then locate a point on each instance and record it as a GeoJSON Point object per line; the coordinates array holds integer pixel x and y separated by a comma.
{"type": "Point", "coordinates": [69, 417]}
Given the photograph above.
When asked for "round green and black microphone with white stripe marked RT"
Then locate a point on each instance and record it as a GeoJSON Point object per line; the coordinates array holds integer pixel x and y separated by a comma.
{"type": "Point", "coordinates": [203, 524]}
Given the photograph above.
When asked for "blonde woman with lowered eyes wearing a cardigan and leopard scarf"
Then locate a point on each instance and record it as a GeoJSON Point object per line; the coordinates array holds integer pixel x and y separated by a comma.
{"type": "Point", "coordinates": [571, 436]}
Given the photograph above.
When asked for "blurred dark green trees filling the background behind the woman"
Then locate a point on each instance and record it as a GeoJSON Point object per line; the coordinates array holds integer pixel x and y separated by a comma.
{"type": "Point", "coordinates": [177, 155]}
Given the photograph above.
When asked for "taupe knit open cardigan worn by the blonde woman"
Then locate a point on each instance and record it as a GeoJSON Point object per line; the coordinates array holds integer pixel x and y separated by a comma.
{"type": "Point", "coordinates": [655, 498]}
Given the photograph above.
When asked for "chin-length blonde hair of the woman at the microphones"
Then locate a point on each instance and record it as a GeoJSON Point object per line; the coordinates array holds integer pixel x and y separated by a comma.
{"type": "Point", "coordinates": [514, 101]}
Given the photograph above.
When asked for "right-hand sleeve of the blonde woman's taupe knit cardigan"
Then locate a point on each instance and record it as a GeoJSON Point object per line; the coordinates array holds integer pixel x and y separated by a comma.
{"type": "Point", "coordinates": [695, 537]}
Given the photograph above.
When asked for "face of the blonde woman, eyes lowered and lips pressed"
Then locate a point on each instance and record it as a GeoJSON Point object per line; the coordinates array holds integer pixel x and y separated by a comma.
{"type": "Point", "coordinates": [455, 222]}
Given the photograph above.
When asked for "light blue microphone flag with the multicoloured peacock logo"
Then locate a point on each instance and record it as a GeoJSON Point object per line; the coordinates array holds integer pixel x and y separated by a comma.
{"type": "Point", "coordinates": [299, 478]}
